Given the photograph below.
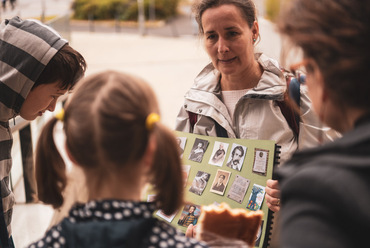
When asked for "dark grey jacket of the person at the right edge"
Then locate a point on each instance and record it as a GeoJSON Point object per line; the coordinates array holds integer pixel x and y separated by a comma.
{"type": "Point", "coordinates": [326, 193]}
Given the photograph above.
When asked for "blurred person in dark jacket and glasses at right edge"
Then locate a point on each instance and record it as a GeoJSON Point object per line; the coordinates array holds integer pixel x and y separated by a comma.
{"type": "Point", "coordinates": [325, 190]}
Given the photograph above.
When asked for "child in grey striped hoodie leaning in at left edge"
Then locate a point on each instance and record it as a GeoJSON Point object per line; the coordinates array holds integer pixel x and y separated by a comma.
{"type": "Point", "coordinates": [36, 67]}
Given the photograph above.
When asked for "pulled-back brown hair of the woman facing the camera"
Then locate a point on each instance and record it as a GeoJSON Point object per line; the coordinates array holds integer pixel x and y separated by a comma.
{"type": "Point", "coordinates": [246, 7]}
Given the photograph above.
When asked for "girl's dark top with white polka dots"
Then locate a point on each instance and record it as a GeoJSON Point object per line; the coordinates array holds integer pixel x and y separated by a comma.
{"type": "Point", "coordinates": [114, 223]}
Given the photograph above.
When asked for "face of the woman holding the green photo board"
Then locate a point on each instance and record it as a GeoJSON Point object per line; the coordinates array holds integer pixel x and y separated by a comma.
{"type": "Point", "coordinates": [228, 39]}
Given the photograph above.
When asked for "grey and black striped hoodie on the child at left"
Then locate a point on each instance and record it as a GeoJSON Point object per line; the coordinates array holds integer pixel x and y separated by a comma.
{"type": "Point", "coordinates": [26, 47]}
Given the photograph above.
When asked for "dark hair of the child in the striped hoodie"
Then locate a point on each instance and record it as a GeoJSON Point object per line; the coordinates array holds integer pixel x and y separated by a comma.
{"type": "Point", "coordinates": [67, 67]}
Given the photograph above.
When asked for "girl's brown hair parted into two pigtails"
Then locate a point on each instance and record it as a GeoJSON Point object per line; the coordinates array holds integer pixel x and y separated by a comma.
{"type": "Point", "coordinates": [105, 127]}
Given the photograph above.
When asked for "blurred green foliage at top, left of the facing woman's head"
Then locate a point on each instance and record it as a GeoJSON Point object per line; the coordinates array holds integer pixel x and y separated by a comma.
{"type": "Point", "coordinates": [122, 9]}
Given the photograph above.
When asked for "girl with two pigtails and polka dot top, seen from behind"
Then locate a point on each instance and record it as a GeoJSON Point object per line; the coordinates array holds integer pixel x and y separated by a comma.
{"type": "Point", "coordinates": [108, 113]}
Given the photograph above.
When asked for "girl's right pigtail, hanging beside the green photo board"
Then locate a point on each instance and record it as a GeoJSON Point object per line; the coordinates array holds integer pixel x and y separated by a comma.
{"type": "Point", "coordinates": [167, 171]}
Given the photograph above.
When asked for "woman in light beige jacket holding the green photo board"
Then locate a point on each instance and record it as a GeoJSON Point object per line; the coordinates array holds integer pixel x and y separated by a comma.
{"type": "Point", "coordinates": [237, 95]}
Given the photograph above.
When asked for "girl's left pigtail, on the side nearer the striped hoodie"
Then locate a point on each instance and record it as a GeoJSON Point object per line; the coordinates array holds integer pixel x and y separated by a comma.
{"type": "Point", "coordinates": [50, 168]}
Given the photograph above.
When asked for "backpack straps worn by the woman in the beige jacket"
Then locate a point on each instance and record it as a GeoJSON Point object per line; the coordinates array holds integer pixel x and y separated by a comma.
{"type": "Point", "coordinates": [287, 108]}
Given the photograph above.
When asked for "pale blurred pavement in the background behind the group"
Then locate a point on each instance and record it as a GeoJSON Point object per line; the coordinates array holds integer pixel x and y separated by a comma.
{"type": "Point", "coordinates": [168, 57]}
